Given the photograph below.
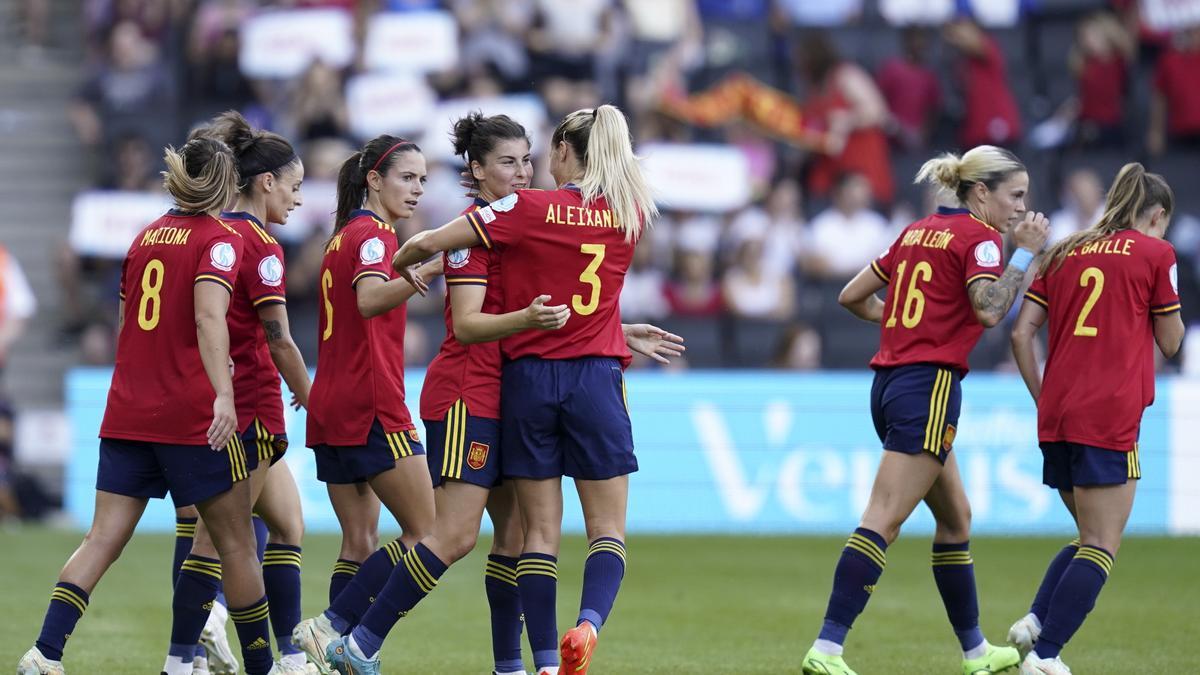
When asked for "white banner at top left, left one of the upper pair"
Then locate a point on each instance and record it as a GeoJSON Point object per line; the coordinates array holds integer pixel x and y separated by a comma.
{"type": "Point", "coordinates": [284, 45]}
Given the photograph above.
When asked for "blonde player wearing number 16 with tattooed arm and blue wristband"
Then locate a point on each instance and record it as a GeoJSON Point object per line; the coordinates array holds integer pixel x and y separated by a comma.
{"type": "Point", "coordinates": [945, 286]}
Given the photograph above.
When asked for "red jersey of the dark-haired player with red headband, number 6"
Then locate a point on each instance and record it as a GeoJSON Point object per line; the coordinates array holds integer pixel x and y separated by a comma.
{"type": "Point", "coordinates": [361, 362]}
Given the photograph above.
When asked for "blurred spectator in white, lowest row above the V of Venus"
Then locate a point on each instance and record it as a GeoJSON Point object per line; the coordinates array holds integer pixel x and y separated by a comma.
{"type": "Point", "coordinates": [754, 291]}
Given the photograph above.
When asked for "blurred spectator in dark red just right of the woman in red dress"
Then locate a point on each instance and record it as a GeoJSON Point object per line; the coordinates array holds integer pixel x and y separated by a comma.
{"type": "Point", "coordinates": [913, 92]}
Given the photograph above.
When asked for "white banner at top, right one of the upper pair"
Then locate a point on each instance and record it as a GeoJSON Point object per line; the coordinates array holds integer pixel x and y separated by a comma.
{"type": "Point", "coordinates": [412, 43]}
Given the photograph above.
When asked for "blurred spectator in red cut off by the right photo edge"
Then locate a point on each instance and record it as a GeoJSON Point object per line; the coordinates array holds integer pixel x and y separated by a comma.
{"type": "Point", "coordinates": [1175, 103]}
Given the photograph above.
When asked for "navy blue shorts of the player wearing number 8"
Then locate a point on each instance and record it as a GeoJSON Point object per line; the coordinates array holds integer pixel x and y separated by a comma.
{"type": "Point", "coordinates": [191, 474]}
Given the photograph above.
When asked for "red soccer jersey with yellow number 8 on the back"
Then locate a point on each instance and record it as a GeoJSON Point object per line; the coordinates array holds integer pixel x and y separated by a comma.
{"type": "Point", "coordinates": [160, 391]}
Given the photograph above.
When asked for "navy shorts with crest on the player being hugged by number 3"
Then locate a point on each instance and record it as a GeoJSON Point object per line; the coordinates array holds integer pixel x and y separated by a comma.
{"type": "Point", "coordinates": [464, 447]}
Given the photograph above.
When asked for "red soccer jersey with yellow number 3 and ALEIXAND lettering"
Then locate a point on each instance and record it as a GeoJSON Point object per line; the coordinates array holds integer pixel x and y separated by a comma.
{"type": "Point", "coordinates": [551, 244]}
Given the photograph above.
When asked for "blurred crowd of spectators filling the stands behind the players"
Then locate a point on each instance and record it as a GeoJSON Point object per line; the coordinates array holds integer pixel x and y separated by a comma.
{"type": "Point", "coordinates": [1075, 92]}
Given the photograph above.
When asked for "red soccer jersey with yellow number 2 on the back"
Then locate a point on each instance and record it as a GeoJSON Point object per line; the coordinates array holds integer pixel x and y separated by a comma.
{"type": "Point", "coordinates": [1100, 374]}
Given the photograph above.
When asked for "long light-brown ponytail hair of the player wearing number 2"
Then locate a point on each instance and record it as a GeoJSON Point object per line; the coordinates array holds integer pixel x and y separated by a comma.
{"type": "Point", "coordinates": [1133, 194]}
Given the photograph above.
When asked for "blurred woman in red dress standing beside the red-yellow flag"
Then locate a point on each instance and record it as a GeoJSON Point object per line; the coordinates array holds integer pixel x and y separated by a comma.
{"type": "Point", "coordinates": [844, 103]}
